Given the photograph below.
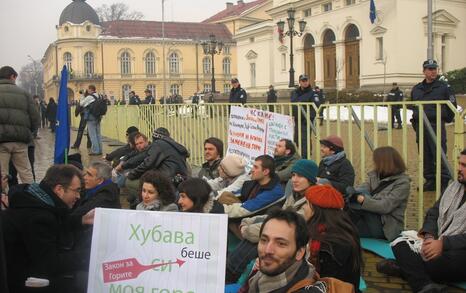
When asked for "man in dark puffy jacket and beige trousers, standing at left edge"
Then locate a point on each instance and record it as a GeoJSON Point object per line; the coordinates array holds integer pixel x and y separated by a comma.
{"type": "Point", "coordinates": [19, 119]}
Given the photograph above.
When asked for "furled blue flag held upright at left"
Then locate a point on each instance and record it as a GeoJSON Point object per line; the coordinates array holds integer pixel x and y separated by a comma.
{"type": "Point", "coordinates": [62, 136]}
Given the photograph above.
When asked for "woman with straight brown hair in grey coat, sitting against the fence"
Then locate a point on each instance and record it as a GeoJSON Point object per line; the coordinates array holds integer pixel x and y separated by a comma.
{"type": "Point", "coordinates": [378, 206]}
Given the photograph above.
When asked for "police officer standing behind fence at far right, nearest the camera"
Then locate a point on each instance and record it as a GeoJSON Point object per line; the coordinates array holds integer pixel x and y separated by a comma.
{"type": "Point", "coordinates": [433, 89]}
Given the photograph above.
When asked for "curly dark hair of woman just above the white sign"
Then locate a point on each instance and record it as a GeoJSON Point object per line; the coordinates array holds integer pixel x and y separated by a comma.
{"type": "Point", "coordinates": [161, 183]}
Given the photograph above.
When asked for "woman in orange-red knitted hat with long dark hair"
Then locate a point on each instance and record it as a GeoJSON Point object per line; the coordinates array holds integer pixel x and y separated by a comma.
{"type": "Point", "coordinates": [334, 249]}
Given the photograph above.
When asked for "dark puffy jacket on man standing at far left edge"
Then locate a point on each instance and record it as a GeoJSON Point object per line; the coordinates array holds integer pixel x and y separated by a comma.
{"type": "Point", "coordinates": [18, 115]}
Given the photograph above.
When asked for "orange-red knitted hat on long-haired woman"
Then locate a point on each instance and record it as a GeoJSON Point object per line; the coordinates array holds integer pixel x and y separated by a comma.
{"type": "Point", "coordinates": [325, 196]}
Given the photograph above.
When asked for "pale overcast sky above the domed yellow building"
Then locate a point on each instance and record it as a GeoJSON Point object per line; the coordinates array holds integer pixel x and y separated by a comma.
{"type": "Point", "coordinates": [27, 27]}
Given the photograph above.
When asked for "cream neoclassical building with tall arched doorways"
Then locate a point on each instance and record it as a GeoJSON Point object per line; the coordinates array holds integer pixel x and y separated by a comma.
{"type": "Point", "coordinates": [341, 48]}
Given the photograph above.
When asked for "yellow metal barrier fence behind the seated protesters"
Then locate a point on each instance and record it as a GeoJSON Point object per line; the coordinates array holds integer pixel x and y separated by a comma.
{"type": "Point", "coordinates": [362, 126]}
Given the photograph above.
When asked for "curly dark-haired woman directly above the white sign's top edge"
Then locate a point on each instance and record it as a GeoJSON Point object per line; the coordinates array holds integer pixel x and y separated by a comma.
{"type": "Point", "coordinates": [157, 193]}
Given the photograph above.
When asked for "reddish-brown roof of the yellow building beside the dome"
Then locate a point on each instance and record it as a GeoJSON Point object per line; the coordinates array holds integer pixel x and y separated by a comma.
{"type": "Point", "coordinates": [173, 30]}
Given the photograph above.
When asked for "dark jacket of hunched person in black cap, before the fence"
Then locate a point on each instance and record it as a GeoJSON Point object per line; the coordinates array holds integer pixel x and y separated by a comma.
{"type": "Point", "coordinates": [165, 156]}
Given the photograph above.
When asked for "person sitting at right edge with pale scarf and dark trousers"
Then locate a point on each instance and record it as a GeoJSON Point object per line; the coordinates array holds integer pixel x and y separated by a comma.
{"type": "Point", "coordinates": [438, 252]}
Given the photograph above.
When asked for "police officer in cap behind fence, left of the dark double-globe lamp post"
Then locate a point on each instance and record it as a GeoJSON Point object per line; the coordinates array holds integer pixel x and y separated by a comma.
{"type": "Point", "coordinates": [302, 94]}
